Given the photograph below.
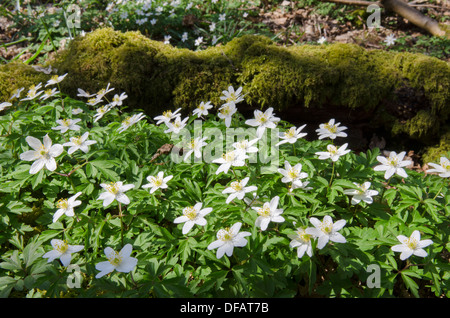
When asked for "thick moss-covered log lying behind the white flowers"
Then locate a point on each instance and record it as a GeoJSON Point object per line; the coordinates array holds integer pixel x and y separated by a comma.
{"type": "Point", "coordinates": [403, 93]}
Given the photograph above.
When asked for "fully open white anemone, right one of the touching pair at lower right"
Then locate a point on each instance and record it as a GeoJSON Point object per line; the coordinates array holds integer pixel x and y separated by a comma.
{"type": "Point", "coordinates": [326, 231]}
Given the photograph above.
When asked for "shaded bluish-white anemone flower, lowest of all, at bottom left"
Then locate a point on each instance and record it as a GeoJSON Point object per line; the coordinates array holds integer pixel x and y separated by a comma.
{"type": "Point", "coordinates": [119, 261]}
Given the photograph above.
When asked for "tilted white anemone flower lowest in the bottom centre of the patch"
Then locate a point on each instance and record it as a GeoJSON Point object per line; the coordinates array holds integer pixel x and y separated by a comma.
{"type": "Point", "coordinates": [228, 239]}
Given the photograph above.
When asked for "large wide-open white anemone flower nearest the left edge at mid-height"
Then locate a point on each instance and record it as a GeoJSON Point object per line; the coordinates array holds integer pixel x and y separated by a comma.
{"type": "Point", "coordinates": [42, 155]}
